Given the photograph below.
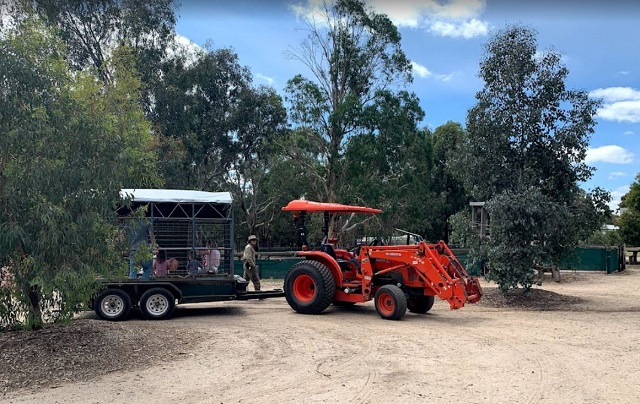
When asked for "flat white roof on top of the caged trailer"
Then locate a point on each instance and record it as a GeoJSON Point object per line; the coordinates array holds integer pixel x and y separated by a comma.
{"type": "Point", "coordinates": [175, 196]}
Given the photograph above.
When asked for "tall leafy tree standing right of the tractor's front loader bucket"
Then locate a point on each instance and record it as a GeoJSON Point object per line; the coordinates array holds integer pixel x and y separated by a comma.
{"type": "Point", "coordinates": [524, 155]}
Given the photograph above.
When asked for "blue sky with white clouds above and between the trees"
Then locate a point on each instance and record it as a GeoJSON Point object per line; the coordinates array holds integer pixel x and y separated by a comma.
{"type": "Point", "coordinates": [599, 40]}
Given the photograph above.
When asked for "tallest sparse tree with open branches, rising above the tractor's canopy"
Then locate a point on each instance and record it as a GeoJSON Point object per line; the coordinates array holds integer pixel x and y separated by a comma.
{"type": "Point", "coordinates": [354, 56]}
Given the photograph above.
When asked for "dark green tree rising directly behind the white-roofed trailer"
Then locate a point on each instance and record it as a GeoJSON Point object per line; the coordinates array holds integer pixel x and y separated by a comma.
{"type": "Point", "coordinates": [216, 128]}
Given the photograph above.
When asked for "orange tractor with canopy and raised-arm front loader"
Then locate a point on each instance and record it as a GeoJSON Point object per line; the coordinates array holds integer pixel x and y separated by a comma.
{"type": "Point", "coordinates": [396, 277]}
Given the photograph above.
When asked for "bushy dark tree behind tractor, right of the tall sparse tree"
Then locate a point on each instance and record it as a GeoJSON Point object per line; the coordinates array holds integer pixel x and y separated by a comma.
{"type": "Point", "coordinates": [389, 165]}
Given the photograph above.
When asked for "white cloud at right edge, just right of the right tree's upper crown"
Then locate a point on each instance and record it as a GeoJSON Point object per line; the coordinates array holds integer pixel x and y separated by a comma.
{"type": "Point", "coordinates": [621, 104]}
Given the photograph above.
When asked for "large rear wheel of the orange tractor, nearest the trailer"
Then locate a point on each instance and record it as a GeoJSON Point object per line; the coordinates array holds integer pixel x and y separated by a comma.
{"type": "Point", "coordinates": [309, 287]}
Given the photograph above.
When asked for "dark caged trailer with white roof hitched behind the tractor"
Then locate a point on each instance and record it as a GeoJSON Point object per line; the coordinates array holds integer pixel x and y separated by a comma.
{"type": "Point", "coordinates": [183, 223]}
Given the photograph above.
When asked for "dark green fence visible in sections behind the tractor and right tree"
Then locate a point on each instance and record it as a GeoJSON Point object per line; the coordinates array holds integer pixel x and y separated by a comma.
{"type": "Point", "coordinates": [591, 258]}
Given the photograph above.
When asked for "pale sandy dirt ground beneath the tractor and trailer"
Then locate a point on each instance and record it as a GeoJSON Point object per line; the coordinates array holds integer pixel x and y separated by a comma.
{"type": "Point", "coordinates": [576, 341]}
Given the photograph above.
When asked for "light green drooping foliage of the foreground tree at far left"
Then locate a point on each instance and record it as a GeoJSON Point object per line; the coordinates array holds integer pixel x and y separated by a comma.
{"type": "Point", "coordinates": [68, 146]}
